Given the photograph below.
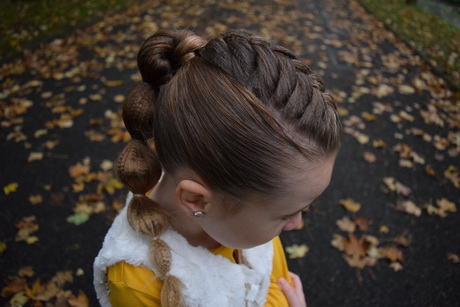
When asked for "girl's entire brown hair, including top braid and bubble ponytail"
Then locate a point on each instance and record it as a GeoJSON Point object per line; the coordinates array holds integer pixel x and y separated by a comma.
{"type": "Point", "coordinates": [233, 109]}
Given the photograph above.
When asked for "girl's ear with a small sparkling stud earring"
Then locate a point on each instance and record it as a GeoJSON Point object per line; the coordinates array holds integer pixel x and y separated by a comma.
{"type": "Point", "coordinates": [193, 196]}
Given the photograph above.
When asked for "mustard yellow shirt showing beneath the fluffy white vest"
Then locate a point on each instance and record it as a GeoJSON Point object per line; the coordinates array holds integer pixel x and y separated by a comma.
{"type": "Point", "coordinates": [137, 286]}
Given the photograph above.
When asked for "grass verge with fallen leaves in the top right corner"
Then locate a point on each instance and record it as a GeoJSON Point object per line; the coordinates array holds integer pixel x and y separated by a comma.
{"type": "Point", "coordinates": [432, 37]}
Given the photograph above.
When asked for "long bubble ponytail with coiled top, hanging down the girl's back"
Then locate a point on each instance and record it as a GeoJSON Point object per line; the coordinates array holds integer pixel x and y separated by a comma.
{"type": "Point", "coordinates": [138, 166]}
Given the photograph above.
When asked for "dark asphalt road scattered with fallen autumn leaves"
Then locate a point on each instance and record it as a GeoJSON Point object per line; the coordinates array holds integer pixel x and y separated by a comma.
{"type": "Point", "coordinates": [400, 156]}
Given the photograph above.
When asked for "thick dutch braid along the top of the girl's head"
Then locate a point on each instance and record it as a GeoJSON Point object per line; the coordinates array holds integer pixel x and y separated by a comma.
{"type": "Point", "coordinates": [288, 87]}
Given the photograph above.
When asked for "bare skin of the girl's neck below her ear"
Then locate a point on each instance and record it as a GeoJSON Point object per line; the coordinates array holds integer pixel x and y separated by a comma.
{"type": "Point", "coordinates": [164, 194]}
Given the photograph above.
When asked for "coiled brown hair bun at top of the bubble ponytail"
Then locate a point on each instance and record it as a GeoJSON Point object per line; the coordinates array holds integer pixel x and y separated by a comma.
{"type": "Point", "coordinates": [163, 53]}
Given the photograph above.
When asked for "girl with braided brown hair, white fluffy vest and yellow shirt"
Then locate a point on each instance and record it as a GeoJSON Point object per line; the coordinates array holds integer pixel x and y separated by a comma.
{"type": "Point", "coordinates": [231, 140]}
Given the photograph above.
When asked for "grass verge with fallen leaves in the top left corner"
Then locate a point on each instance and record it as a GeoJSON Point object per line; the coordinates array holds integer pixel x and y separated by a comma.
{"type": "Point", "coordinates": [24, 23]}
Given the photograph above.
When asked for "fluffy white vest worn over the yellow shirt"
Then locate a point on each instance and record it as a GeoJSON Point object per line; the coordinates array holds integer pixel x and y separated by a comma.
{"type": "Point", "coordinates": [209, 280]}
